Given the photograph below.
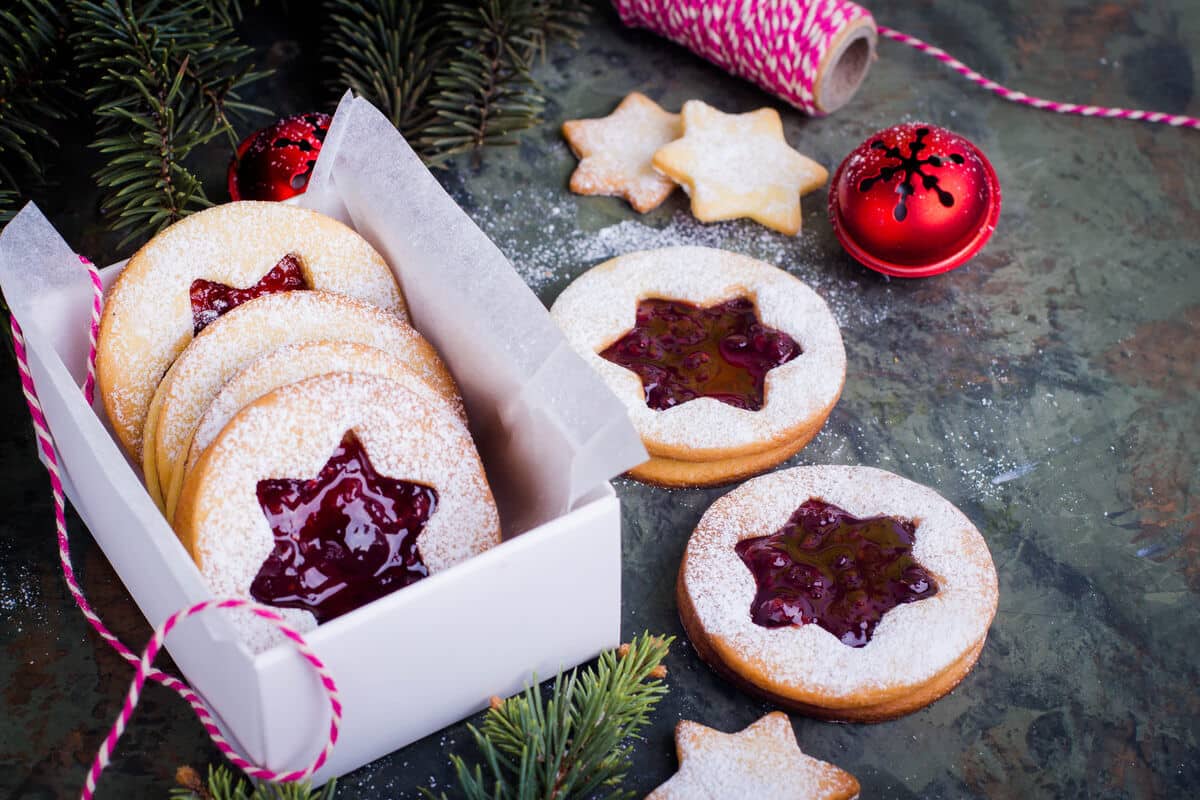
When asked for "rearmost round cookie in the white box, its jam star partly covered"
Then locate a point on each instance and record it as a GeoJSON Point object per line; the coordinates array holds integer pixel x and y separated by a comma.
{"type": "Point", "coordinates": [202, 267]}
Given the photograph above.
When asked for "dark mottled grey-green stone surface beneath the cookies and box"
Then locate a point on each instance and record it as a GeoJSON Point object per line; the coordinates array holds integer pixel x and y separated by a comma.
{"type": "Point", "coordinates": [1048, 389]}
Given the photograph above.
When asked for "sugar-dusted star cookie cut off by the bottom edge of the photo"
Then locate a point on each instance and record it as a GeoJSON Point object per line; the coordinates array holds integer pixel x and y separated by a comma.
{"type": "Point", "coordinates": [764, 761]}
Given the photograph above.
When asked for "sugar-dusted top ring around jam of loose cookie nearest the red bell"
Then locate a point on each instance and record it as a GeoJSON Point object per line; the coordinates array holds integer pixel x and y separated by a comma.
{"type": "Point", "coordinates": [601, 306]}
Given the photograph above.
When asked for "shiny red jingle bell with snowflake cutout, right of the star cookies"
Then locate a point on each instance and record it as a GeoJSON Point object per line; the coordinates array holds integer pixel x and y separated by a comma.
{"type": "Point", "coordinates": [915, 201]}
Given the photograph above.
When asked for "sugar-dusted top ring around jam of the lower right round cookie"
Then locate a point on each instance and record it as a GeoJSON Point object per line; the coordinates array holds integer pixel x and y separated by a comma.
{"type": "Point", "coordinates": [914, 642]}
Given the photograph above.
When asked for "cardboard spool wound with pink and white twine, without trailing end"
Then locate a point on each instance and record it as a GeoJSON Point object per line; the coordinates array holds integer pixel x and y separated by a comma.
{"type": "Point", "coordinates": [812, 53]}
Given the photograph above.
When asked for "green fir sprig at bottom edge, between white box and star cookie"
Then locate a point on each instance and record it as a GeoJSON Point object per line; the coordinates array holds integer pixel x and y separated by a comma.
{"type": "Point", "coordinates": [574, 745]}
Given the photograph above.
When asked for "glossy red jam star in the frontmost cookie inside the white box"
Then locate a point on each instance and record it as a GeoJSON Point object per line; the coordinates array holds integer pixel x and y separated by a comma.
{"type": "Point", "coordinates": [343, 539]}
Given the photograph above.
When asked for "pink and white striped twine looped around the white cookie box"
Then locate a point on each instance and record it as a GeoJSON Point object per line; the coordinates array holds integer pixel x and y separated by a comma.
{"type": "Point", "coordinates": [143, 664]}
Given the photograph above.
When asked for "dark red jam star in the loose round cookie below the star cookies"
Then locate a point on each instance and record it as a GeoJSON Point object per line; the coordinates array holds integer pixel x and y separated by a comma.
{"type": "Point", "coordinates": [683, 352]}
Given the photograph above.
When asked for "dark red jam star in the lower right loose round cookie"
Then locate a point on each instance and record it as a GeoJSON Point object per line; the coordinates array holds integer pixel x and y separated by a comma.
{"type": "Point", "coordinates": [830, 568]}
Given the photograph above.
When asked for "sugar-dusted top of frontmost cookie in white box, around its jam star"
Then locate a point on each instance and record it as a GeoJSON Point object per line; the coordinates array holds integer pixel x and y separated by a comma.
{"type": "Point", "coordinates": [291, 434]}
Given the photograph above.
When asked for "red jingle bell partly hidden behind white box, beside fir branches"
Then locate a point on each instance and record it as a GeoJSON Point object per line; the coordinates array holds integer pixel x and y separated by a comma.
{"type": "Point", "coordinates": [277, 163]}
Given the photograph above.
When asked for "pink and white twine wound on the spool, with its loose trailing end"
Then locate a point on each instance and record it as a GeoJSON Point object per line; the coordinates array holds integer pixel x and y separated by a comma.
{"type": "Point", "coordinates": [779, 45]}
